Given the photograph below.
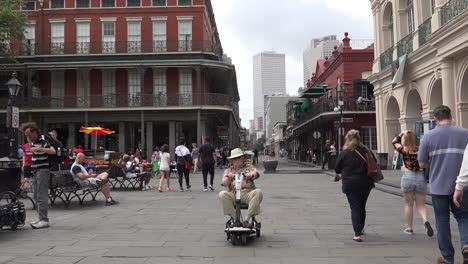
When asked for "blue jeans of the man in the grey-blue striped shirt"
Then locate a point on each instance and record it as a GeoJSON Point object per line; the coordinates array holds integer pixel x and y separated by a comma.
{"type": "Point", "coordinates": [443, 204]}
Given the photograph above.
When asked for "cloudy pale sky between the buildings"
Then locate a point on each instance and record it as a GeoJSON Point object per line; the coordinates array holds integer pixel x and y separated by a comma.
{"type": "Point", "coordinates": [247, 27]}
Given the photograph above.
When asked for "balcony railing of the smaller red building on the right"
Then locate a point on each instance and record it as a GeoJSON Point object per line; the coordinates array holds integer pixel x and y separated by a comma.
{"type": "Point", "coordinates": [328, 105]}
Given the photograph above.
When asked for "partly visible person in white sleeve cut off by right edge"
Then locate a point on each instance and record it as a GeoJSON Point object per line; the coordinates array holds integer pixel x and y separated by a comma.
{"type": "Point", "coordinates": [461, 189]}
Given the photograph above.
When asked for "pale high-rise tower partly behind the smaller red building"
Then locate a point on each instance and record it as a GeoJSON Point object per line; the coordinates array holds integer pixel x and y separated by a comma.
{"type": "Point", "coordinates": [318, 49]}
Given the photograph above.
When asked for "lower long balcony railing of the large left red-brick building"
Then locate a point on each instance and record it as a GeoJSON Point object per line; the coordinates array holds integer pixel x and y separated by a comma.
{"type": "Point", "coordinates": [126, 100]}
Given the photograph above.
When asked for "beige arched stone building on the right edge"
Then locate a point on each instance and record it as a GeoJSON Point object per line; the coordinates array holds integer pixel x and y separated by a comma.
{"type": "Point", "coordinates": [434, 35]}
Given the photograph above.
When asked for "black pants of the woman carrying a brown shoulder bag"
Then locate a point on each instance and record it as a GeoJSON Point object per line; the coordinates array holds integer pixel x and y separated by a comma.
{"type": "Point", "coordinates": [357, 201]}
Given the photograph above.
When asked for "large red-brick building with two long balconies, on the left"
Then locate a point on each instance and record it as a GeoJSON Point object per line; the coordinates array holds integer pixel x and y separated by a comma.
{"type": "Point", "coordinates": [152, 70]}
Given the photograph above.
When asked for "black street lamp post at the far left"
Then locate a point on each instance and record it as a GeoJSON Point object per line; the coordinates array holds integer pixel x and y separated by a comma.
{"type": "Point", "coordinates": [14, 87]}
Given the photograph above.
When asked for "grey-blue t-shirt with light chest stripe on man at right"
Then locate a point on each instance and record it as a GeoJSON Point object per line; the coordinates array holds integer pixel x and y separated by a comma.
{"type": "Point", "coordinates": [443, 148]}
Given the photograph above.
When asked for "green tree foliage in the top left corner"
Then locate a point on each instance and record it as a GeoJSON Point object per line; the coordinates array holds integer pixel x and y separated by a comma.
{"type": "Point", "coordinates": [12, 24]}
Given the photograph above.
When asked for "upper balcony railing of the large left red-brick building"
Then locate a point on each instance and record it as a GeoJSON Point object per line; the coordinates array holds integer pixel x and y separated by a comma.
{"type": "Point", "coordinates": [115, 47]}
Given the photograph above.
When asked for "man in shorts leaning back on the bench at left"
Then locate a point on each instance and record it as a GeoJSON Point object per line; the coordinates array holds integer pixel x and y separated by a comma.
{"type": "Point", "coordinates": [84, 179]}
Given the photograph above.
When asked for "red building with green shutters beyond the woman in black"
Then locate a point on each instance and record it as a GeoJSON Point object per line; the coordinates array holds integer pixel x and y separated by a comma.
{"type": "Point", "coordinates": [338, 94]}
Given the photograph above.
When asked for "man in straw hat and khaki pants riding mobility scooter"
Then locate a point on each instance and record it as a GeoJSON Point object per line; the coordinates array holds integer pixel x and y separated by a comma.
{"type": "Point", "coordinates": [249, 195]}
